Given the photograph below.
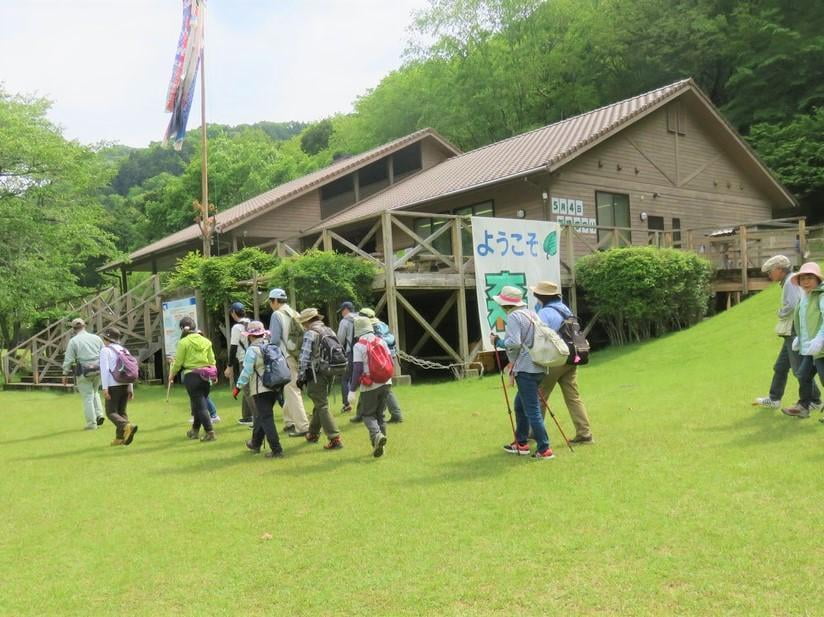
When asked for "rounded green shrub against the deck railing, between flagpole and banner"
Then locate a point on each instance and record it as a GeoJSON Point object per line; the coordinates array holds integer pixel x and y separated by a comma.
{"type": "Point", "coordinates": [319, 278]}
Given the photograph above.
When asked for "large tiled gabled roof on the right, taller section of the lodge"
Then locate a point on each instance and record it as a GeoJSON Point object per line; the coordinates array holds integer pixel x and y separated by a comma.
{"type": "Point", "coordinates": [541, 150]}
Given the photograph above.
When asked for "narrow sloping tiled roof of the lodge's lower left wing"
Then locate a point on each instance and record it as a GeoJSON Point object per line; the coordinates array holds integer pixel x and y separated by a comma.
{"type": "Point", "coordinates": [242, 212]}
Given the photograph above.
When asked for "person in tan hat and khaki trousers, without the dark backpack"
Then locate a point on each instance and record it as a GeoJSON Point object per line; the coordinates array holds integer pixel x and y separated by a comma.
{"type": "Point", "coordinates": [552, 311]}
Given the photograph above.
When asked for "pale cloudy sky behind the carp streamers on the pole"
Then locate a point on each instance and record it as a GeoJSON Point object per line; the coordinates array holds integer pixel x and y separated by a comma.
{"type": "Point", "coordinates": [106, 64]}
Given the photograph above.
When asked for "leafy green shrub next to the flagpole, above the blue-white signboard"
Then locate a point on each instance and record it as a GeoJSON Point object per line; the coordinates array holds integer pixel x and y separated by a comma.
{"type": "Point", "coordinates": [217, 278]}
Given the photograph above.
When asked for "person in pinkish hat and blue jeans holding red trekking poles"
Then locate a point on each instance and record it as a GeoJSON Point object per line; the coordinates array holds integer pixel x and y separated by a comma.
{"type": "Point", "coordinates": [518, 338]}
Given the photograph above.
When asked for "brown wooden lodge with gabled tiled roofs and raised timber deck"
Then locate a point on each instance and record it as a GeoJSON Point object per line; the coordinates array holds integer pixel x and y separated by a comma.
{"type": "Point", "coordinates": [661, 168]}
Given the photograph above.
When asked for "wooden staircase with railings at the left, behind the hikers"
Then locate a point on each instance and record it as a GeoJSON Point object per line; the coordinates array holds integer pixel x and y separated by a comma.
{"type": "Point", "coordinates": [38, 361]}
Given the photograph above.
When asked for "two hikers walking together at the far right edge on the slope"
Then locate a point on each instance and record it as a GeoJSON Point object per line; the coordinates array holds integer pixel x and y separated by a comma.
{"type": "Point", "coordinates": [800, 327]}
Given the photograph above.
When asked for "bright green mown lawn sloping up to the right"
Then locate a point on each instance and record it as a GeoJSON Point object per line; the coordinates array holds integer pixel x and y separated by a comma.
{"type": "Point", "coordinates": [691, 502]}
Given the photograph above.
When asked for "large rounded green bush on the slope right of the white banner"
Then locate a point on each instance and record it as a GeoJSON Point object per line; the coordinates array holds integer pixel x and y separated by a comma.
{"type": "Point", "coordinates": [643, 291]}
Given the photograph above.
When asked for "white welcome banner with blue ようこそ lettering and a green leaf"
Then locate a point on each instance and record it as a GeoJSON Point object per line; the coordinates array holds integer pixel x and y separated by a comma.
{"type": "Point", "coordinates": [516, 252]}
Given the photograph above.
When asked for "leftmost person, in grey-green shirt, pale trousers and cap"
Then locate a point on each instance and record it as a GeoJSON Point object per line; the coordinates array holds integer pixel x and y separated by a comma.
{"type": "Point", "coordinates": [82, 359]}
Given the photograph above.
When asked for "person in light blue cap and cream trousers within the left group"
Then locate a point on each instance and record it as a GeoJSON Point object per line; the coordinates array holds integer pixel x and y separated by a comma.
{"type": "Point", "coordinates": [286, 332]}
